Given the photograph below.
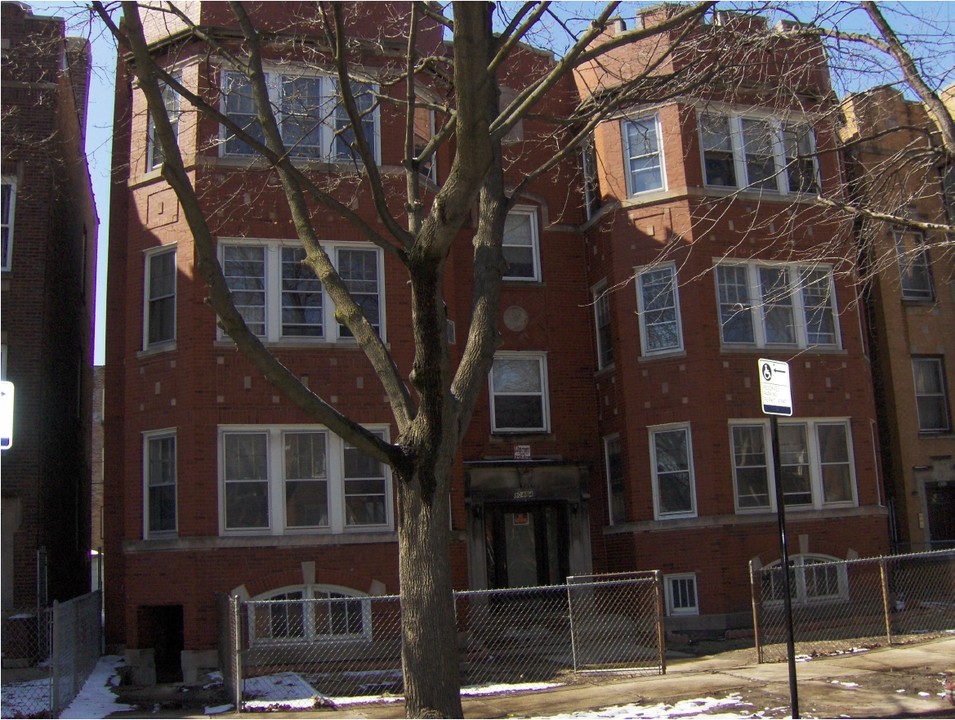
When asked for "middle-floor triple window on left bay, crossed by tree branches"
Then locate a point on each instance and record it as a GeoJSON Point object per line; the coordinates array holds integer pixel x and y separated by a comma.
{"type": "Point", "coordinates": [282, 299]}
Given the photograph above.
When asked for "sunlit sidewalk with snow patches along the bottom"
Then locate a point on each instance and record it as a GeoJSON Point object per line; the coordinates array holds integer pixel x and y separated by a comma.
{"type": "Point", "coordinates": [899, 681]}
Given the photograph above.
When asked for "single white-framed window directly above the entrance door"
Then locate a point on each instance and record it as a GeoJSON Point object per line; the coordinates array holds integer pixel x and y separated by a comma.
{"type": "Point", "coordinates": [519, 397]}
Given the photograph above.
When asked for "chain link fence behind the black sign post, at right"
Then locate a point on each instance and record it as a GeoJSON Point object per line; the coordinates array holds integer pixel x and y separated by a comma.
{"type": "Point", "coordinates": [839, 606]}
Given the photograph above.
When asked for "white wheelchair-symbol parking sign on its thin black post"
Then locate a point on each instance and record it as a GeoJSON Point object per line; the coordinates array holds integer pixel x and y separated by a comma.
{"type": "Point", "coordinates": [776, 398]}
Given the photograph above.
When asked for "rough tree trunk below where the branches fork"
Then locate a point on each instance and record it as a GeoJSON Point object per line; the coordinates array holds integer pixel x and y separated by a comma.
{"type": "Point", "coordinates": [429, 652]}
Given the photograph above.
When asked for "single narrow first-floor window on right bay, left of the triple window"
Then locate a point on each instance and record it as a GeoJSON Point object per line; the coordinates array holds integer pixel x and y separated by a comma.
{"type": "Point", "coordinates": [671, 463]}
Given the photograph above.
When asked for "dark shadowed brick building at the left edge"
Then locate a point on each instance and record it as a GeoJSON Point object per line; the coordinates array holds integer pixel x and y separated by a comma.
{"type": "Point", "coordinates": [48, 231]}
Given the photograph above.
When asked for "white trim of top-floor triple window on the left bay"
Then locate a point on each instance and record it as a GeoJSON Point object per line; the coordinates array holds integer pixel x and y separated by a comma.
{"type": "Point", "coordinates": [273, 75]}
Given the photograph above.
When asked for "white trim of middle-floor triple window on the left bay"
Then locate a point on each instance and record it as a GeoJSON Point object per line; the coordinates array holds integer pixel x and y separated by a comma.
{"type": "Point", "coordinates": [273, 291]}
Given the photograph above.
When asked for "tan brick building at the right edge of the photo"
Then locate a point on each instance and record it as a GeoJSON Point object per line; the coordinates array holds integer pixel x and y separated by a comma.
{"type": "Point", "coordinates": [912, 310]}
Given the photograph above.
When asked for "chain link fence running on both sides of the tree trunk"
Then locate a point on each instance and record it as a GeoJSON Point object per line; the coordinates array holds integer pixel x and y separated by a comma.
{"type": "Point", "coordinates": [346, 646]}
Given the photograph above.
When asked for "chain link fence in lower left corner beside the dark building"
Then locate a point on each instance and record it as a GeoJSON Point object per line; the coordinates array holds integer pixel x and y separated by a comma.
{"type": "Point", "coordinates": [49, 654]}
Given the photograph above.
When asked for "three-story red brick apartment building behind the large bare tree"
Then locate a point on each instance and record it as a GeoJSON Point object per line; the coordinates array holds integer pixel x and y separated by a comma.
{"type": "Point", "coordinates": [633, 438]}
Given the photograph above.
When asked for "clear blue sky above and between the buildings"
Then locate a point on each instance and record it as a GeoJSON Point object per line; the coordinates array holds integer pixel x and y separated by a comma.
{"type": "Point", "coordinates": [927, 26]}
